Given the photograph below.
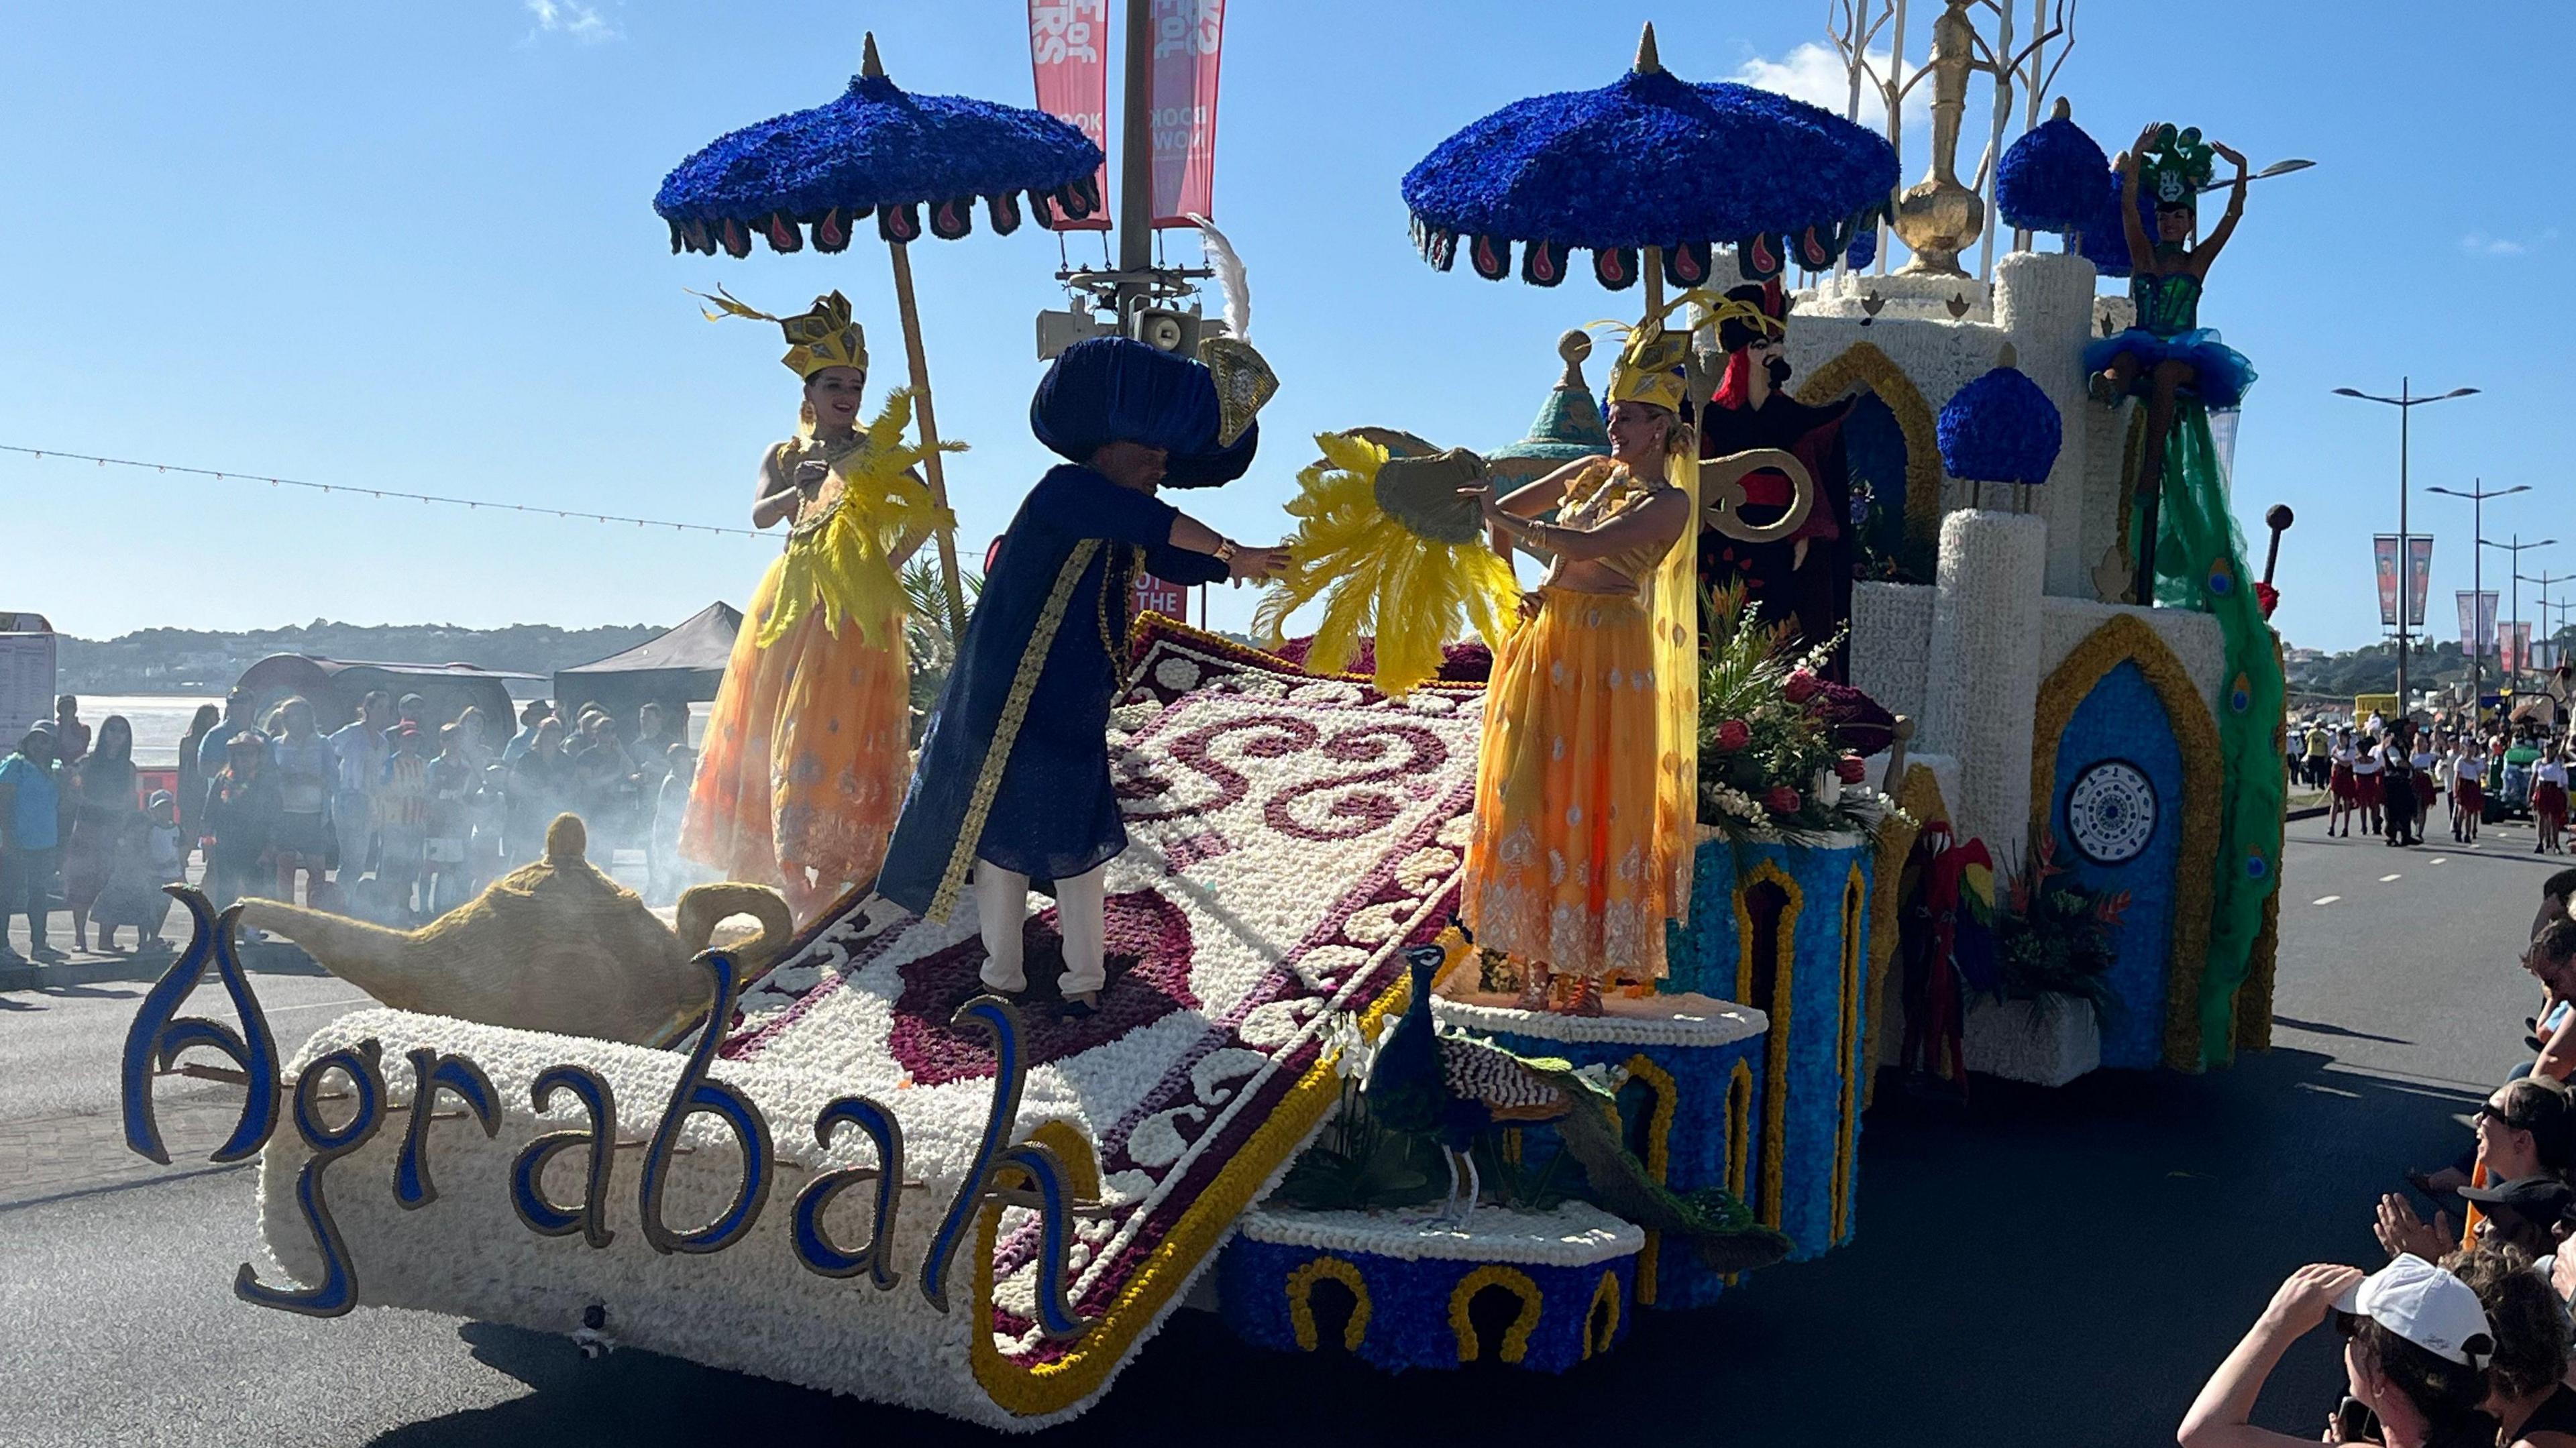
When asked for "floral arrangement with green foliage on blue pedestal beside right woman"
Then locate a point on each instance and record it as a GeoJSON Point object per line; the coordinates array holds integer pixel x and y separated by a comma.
{"type": "Point", "coordinates": [1774, 764]}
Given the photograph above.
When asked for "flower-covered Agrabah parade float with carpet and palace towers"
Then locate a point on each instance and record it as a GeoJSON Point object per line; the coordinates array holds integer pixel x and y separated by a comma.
{"type": "Point", "coordinates": [1951, 761]}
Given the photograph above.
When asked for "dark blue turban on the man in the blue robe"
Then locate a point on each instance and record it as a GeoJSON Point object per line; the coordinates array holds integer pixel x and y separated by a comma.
{"type": "Point", "coordinates": [1114, 390]}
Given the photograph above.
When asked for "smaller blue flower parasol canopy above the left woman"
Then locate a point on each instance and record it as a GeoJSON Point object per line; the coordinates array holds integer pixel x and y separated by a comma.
{"type": "Point", "coordinates": [877, 151]}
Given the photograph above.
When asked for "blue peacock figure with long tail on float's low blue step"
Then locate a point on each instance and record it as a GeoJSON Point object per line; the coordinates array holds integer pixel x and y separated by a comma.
{"type": "Point", "coordinates": [1452, 1089]}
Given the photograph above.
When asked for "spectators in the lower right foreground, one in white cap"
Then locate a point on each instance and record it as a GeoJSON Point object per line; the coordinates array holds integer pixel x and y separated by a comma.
{"type": "Point", "coordinates": [2464, 1338]}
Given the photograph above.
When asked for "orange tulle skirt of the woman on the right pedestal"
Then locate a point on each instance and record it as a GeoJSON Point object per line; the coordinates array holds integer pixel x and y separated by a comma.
{"type": "Point", "coordinates": [1565, 867]}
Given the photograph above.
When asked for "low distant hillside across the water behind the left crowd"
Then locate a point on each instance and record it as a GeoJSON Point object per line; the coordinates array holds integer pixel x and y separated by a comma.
{"type": "Point", "coordinates": [192, 661]}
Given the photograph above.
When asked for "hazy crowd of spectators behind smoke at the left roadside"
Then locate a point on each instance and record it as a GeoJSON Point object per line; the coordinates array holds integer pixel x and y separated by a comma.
{"type": "Point", "coordinates": [393, 818]}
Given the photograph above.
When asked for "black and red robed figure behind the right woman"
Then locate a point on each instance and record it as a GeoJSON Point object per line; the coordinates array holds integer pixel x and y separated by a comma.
{"type": "Point", "coordinates": [1797, 563]}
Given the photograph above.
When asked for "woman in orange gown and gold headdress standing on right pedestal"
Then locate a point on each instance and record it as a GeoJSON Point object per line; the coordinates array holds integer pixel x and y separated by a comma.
{"type": "Point", "coordinates": [1588, 772]}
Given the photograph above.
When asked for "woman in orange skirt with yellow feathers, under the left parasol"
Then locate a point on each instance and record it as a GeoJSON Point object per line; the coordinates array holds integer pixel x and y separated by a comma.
{"type": "Point", "coordinates": [808, 748]}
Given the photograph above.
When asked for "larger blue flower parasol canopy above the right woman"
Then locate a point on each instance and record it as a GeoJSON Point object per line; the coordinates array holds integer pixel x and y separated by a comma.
{"type": "Point", "coordinates": [1650, 161]}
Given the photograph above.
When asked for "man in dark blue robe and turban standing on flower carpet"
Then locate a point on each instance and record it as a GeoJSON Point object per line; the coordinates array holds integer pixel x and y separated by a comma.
{"type": "Point", "coordinates": [1014, 779]}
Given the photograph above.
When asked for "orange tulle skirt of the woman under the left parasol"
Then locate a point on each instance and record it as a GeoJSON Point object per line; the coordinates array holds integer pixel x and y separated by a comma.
{"type": "Point", "coordinates": [808, 754]}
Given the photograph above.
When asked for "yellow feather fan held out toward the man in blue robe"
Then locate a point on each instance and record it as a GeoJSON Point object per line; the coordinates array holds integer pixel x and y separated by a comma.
{"type": "Point", "coordinates": [1382, 578]}
